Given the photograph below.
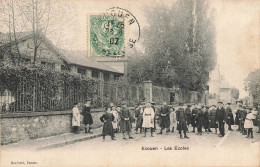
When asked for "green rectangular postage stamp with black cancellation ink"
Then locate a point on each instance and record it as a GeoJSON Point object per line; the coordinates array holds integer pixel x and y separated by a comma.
{"type": "Point", "coordinates": [106, 35]}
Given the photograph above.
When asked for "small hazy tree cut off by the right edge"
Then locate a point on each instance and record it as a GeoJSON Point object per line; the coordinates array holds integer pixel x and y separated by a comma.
{"type": "Point", "coordinates": [252, 85]}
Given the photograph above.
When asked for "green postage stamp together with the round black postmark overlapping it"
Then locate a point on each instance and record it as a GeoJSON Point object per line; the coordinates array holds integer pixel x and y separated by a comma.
{"type": "Point", "coordinates": [112, 31]}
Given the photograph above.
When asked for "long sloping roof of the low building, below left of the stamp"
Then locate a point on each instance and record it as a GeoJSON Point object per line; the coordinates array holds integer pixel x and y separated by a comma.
{"type": "Point", "coordinates": [80, 58]}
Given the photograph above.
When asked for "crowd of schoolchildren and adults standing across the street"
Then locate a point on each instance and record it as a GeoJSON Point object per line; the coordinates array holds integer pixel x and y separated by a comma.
{"type": "Point", "coordinates": [119, 119]}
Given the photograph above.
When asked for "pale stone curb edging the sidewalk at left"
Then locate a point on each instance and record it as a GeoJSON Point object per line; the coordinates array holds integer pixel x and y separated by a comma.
{"type": "Point", "coordinates": [64, 143]}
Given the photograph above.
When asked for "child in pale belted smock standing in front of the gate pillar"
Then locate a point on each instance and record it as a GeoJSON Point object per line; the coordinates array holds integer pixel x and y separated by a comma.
{"type": "Point", "coordinates": [148, 119]}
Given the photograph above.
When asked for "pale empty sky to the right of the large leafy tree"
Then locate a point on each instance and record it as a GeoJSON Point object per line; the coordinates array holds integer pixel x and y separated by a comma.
{"type": "Point", "coordinates": [238, 40]}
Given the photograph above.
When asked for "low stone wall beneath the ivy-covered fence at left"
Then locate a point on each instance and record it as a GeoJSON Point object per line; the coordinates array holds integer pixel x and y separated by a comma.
{"type": "Point", "coordinates": [32, 125]}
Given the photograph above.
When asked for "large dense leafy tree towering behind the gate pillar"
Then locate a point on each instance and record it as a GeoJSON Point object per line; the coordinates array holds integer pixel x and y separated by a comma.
{"type": "Point", "coordinates": [179, 46]}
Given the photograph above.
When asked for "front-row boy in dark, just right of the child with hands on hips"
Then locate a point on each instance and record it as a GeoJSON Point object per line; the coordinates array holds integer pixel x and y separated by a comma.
{"type": "Point", "coordinates": [125, 121]}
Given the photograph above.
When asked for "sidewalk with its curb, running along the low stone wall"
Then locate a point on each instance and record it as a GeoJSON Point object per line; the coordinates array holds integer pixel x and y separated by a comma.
{"type": "Point", "coordinates": [52, 141]}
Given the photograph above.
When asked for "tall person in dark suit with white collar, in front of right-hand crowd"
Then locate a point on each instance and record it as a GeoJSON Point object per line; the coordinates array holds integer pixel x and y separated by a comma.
{"type": "Point", "coordinates": [221, 117]}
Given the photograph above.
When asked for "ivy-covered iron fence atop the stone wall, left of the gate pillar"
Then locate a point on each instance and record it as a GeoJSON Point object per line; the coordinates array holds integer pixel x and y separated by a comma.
{"type": "Point", "coordinates": [35, 88]}
